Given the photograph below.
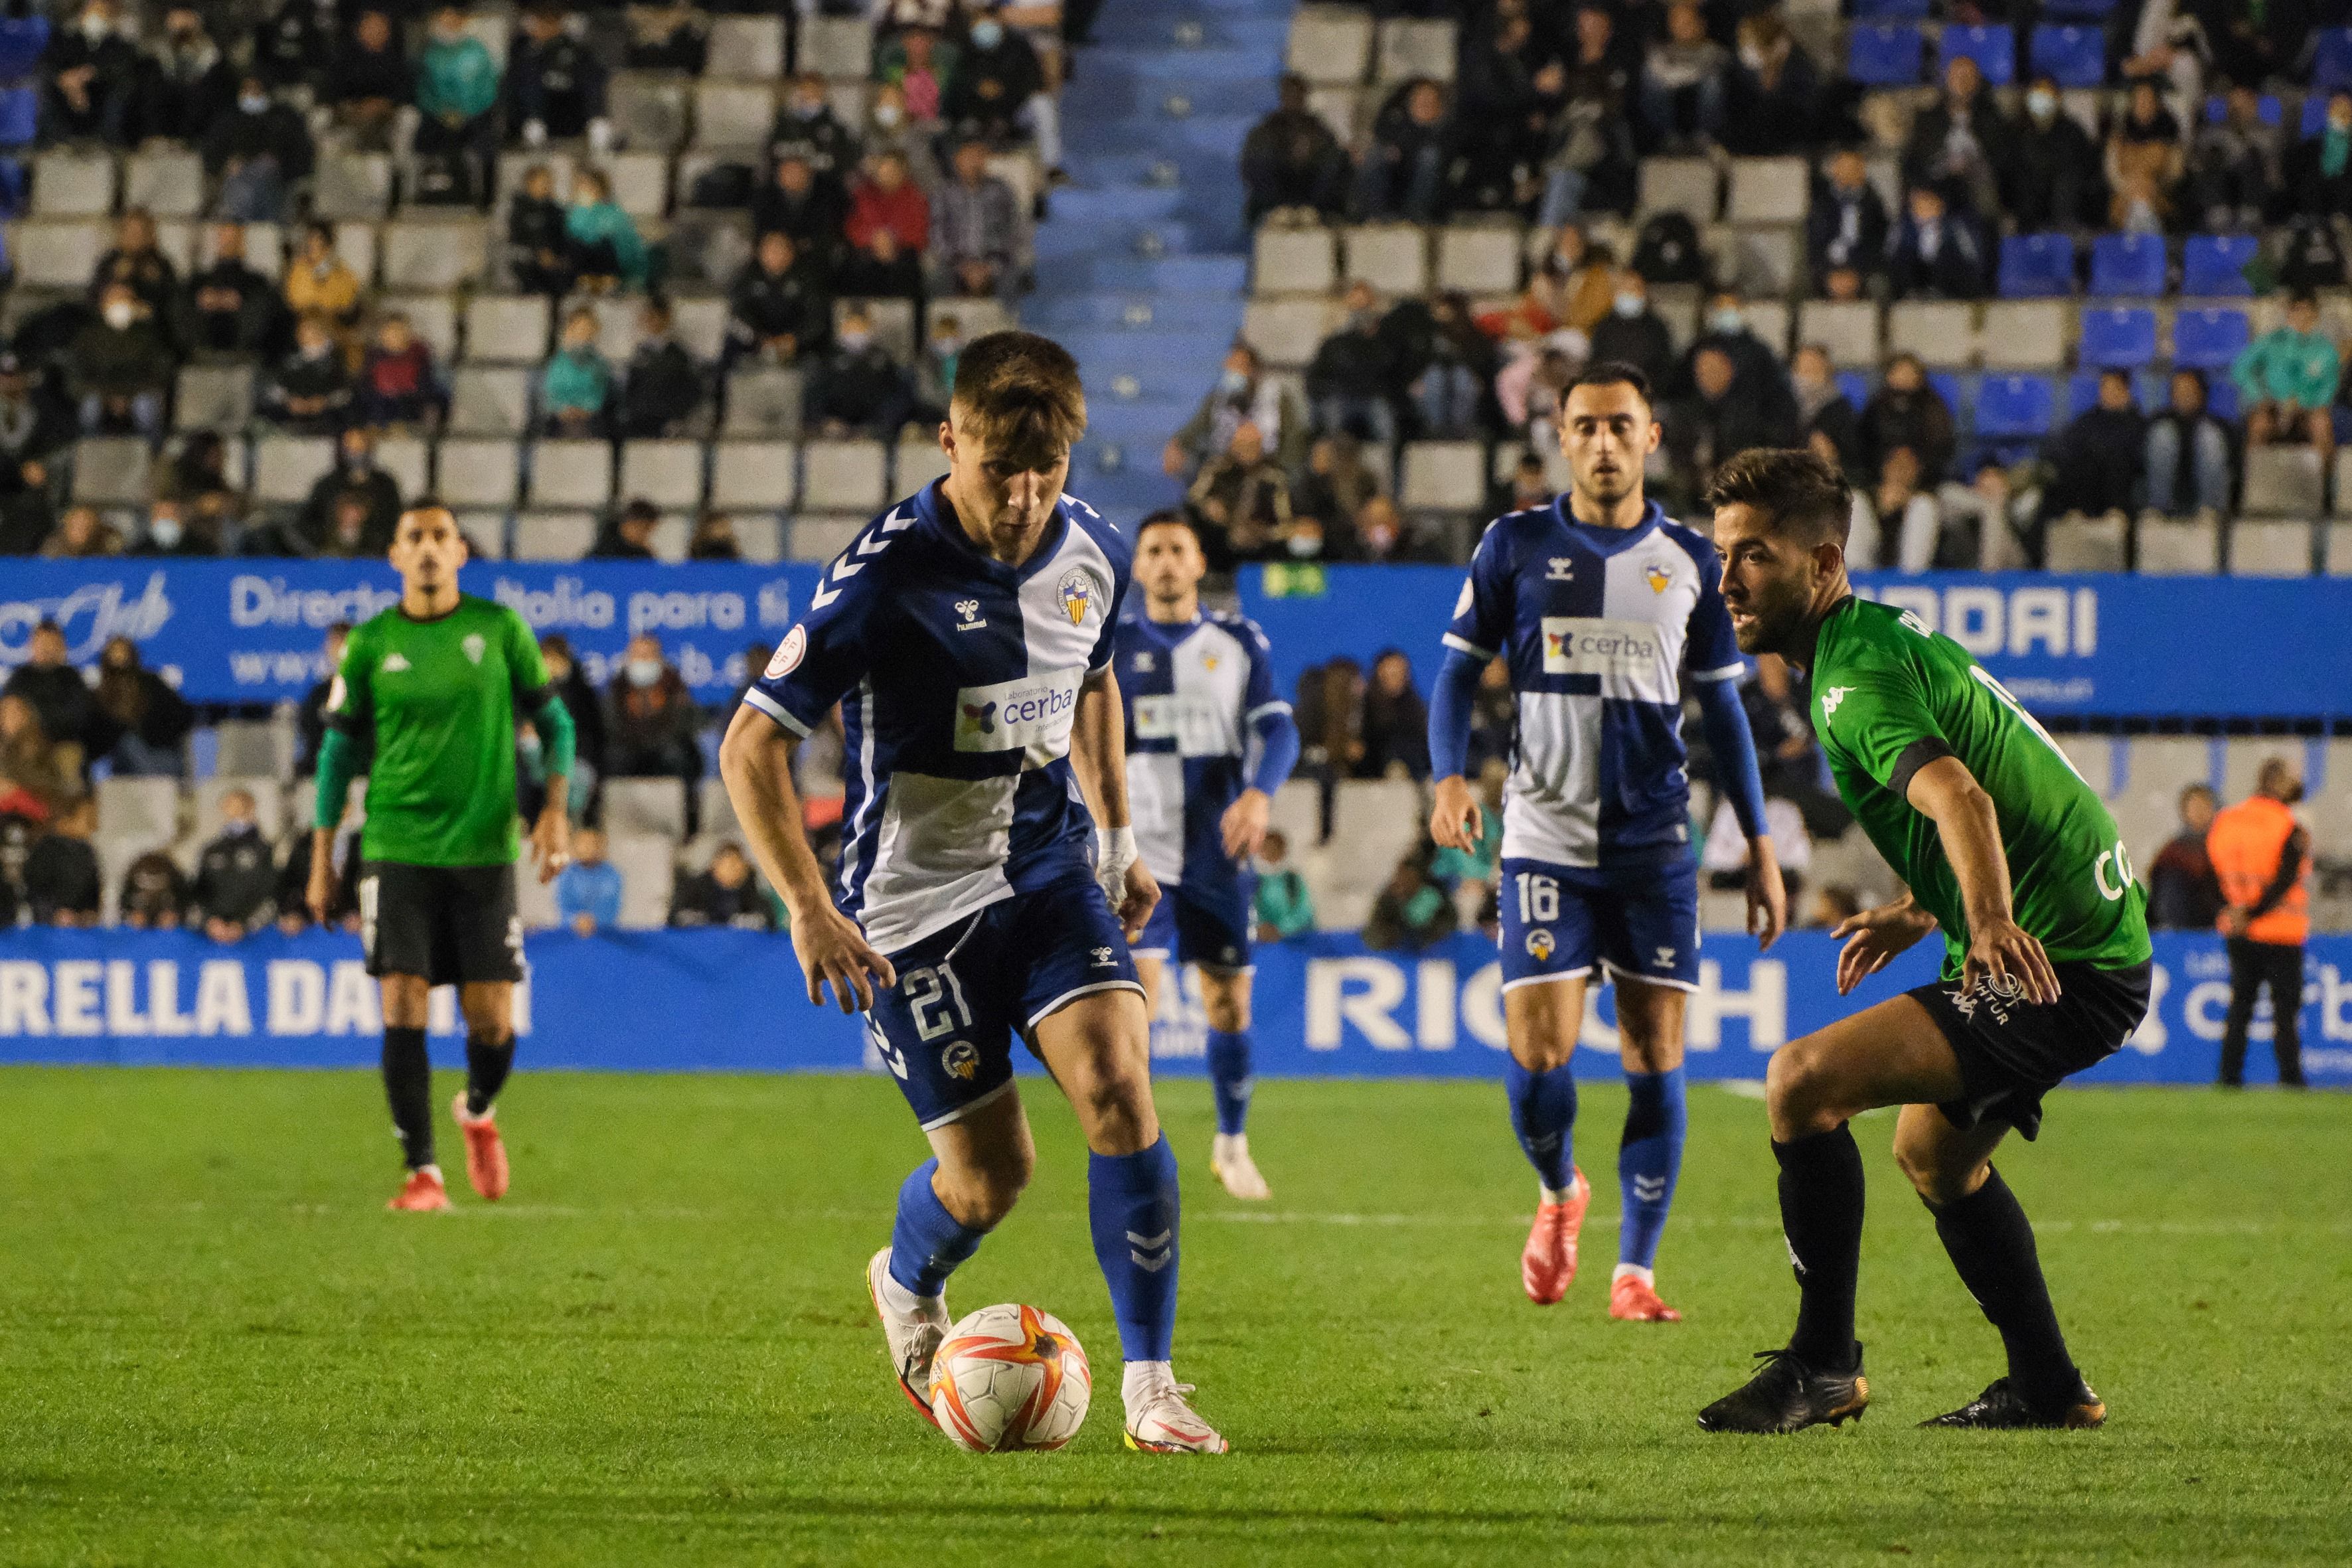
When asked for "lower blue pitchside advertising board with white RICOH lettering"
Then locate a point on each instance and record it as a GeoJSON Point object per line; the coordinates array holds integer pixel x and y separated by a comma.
{"type": "Point", "coordinates": [733, 1003]}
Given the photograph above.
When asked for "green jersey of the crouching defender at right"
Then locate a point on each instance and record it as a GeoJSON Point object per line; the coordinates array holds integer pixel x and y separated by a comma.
{"type": "Point", "coordinates": [1890, 697]}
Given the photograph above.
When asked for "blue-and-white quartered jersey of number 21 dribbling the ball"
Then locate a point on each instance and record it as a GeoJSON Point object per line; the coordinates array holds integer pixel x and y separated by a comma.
{"type": "Point", "coordinates": [958, 683]}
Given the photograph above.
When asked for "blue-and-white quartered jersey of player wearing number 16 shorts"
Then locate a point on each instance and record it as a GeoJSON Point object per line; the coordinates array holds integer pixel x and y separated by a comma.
{"type": "Point", "coordinates": [1598, 629]}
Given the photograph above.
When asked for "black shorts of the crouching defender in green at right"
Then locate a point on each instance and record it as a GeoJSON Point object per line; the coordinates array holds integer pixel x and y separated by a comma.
{"type": "Point", "coordinates": [2014, 1052]}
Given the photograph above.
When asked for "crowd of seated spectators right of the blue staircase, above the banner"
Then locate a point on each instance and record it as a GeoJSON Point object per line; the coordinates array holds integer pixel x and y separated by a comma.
{"type": "Point", "coordinates": [1549, 119]}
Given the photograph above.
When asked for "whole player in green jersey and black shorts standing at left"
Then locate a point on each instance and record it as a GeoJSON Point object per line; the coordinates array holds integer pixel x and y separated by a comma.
{"type": "Point", "coordinates": [436, 685]}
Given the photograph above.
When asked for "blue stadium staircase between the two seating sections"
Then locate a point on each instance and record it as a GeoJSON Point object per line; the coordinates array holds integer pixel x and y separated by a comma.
{"type": "Point", "coordinates": [1142, 269]}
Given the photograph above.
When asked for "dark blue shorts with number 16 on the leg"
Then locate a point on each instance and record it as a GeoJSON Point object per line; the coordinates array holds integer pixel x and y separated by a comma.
{"type": "Point", "coordinates": [1641, 923]}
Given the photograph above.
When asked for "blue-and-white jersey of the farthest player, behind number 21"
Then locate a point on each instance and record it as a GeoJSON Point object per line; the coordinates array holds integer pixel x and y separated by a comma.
{"type": "Point", "coordinates": [1194, 695]}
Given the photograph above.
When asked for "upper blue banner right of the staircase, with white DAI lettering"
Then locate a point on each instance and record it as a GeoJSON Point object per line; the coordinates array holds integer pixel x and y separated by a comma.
{"type": "Point", "coordinates": [2064, 645]}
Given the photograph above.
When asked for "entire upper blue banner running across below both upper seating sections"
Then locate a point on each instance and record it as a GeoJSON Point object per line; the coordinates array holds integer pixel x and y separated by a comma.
{"type": "Point", "coordinates": [248, 631]}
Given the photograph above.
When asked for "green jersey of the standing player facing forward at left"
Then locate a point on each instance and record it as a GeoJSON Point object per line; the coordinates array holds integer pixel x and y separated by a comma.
{"type": "Point", "coordinates": [439, 699]}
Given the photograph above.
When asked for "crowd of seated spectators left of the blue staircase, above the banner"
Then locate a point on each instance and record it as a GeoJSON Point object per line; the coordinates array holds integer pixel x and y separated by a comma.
{"type": "Point", "coordinates": [895, 203]}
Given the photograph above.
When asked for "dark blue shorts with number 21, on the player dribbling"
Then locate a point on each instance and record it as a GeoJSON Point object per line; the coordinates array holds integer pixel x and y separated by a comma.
{"type": "Point", "coordinates": [947, 1031]}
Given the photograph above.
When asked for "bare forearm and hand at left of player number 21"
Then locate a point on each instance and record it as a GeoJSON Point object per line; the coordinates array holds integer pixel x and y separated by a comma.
{"type": "Point", "coordinates": [756, 760]}
